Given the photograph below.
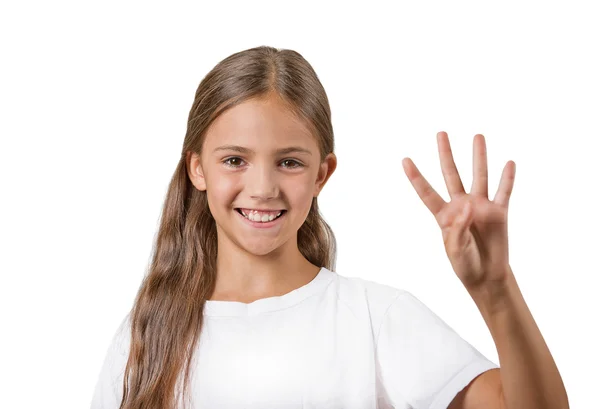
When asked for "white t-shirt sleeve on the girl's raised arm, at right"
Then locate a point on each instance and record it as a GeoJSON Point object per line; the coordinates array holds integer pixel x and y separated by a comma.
{"type": "Point", "coordinates": [422, 362]}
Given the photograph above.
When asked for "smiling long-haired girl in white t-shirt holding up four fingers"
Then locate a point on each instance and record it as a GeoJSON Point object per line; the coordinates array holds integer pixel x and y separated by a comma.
{"type": "Point", "coordinates": [242, 307]}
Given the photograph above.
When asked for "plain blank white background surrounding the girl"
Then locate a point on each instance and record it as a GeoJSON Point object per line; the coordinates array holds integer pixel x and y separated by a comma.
{"type": "Point", "coordinates": [94, 99]}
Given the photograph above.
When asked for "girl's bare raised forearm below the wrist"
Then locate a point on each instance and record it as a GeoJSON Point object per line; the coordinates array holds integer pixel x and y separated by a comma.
{"type": "Point", "coordinates": [530, 378]}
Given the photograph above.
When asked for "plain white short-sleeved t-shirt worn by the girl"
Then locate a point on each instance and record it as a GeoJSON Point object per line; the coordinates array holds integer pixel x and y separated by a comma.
{"type": "Point", "coordinates": [337, 342]}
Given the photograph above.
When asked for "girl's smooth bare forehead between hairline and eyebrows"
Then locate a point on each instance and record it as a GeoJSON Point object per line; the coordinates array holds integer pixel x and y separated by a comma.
{"type": "Point", "coordinates": [267, 122]}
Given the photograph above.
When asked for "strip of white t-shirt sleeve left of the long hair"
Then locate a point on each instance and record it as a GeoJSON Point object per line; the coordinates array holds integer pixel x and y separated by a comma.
{"type": "Point", "coordinates": [108, 392]}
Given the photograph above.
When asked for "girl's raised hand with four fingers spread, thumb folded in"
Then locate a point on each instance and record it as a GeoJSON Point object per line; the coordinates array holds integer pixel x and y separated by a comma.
{"type": "Point", "coordinates": [478, 247]}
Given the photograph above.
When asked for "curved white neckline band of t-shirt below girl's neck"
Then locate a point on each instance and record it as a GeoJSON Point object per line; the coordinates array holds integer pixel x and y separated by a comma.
{"type": "Point", "coordinates": [270, 304]}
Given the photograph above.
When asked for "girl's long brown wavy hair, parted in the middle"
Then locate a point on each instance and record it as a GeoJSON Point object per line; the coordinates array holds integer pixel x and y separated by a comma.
{"type": "Point", "coordinates": [167, 315]}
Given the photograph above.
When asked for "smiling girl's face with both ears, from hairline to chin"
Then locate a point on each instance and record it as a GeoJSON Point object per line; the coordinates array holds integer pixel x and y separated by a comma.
{"type": "Point", "coordinates": [257, 156]}
